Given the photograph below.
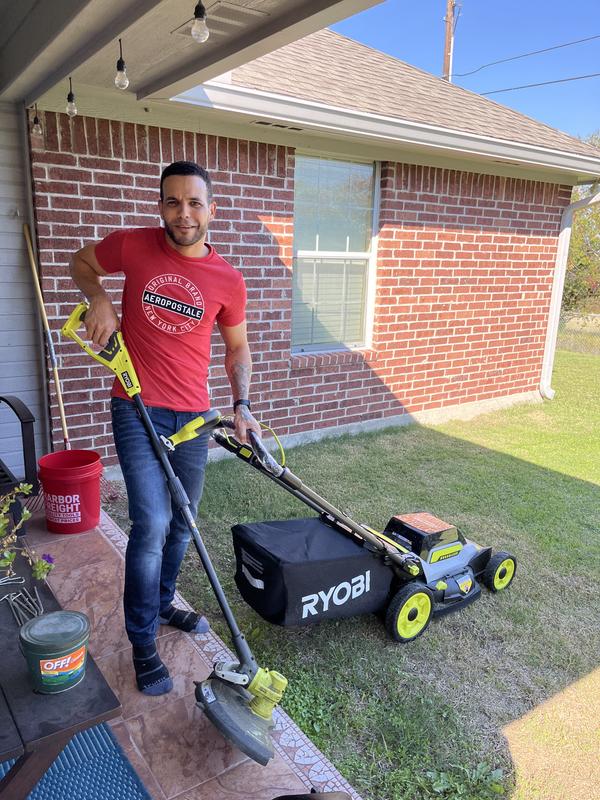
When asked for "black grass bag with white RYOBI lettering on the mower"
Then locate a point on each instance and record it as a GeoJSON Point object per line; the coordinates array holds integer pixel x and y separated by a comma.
{"type": "Point", "coordinates": [301, 571]}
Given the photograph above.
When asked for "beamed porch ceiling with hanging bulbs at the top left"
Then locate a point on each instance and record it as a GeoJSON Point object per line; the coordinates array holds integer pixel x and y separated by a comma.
{"type": "Point", "coordinates": [41, 44]}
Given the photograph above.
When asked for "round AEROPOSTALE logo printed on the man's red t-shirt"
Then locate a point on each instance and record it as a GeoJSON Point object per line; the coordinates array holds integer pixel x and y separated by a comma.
{"type": "Point", "coordinates": [173, 303]}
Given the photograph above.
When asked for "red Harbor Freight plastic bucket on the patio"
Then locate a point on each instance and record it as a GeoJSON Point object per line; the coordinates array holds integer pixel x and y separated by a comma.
{"type": "Point", "coordinates": [71, 483]}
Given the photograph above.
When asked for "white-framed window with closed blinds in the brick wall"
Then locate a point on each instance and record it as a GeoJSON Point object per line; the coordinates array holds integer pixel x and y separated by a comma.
{"type": "Point", "coordinates": [333, 226]}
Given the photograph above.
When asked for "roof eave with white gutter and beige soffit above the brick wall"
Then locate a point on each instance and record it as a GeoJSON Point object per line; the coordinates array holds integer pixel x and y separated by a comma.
{"type": "Point", "coordinates": [216, 110]}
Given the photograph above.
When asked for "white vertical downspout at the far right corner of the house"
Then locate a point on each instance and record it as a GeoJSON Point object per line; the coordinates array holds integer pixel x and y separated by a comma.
{"type": "Point", "coordinates": [560, 269]}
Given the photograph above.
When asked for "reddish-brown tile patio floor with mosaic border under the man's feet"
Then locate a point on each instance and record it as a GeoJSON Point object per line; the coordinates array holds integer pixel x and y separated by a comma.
{"type": "Point", "coordinates": [176, 752]}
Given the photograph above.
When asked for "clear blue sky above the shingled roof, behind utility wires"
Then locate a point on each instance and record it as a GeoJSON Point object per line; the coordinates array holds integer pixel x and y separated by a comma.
{"type": "Point", "coordinates": [413, 31]}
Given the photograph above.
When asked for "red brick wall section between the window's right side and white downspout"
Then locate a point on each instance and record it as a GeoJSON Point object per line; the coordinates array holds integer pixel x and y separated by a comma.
{"type": "Point", "coordinates": [466, 265]}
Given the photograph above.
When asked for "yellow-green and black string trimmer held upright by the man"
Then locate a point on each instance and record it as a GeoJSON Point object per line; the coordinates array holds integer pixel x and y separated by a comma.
{"type": "Point", "coordinates": [238, 697]}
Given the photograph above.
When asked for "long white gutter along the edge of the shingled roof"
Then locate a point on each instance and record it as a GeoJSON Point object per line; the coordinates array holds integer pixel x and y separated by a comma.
{"type": "Point", "coordinates": [252, 104]}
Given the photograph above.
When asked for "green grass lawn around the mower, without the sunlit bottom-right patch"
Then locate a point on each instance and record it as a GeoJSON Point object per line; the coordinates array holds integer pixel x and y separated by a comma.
{"type": "Point", "coordinates": [424, 720]}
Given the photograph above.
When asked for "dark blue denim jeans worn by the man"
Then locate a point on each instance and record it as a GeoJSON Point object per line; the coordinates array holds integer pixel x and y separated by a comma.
{"type": "Point", "coordinates": [159, 536]}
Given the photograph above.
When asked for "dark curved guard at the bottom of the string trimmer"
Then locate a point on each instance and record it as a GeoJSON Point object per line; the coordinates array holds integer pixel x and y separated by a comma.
{"type": "Point", "coordinates": [227, 707]}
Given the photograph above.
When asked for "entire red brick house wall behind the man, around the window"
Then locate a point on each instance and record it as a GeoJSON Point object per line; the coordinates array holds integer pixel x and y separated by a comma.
{"type": "Point", "coordinates": [465, 267]}
